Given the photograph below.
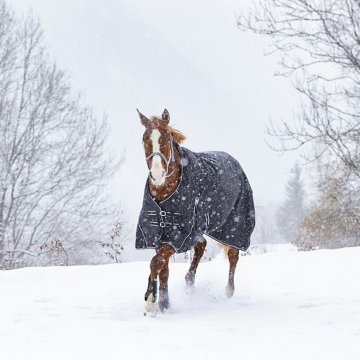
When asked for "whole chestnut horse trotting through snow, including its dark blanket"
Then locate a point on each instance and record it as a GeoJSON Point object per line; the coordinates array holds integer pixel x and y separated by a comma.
{"type": "Point", "coordinates": [187, 195]}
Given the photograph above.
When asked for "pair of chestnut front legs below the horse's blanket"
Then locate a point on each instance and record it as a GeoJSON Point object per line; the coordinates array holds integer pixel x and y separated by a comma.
{"type": "Point", "coordinates": [159, 266]}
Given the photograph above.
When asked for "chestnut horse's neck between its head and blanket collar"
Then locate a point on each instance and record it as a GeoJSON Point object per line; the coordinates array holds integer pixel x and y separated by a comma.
{"type": "Point", "coordinates": [162, 192]}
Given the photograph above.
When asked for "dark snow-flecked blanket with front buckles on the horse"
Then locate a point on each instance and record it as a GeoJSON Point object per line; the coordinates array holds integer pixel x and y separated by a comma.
{"type": "Point", "coordinates": [213, 197]}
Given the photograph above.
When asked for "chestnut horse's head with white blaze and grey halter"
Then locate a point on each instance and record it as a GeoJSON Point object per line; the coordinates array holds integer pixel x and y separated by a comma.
{"type": "Point", "coordinates": [159, 140]}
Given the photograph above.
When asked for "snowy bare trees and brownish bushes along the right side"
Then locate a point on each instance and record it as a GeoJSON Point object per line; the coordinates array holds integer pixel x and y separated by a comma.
{"type": "Point", "coordinates": [318, 43]}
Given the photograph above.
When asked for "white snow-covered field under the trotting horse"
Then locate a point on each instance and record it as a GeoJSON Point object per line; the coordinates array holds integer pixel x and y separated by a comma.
{"type": "Point", "coordinates": [287, 305]}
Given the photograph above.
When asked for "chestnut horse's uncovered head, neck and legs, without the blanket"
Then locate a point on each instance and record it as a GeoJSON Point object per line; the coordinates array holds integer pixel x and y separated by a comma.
{"type": "Point", "coordinates": [162, 152]}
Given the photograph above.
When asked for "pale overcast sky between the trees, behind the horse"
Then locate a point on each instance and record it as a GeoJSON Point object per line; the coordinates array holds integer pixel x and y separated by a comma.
{"type": "Point", "coordinates": [187, 56]}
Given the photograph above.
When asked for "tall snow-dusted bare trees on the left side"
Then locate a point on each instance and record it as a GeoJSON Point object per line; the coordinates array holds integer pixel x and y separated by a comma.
{"type": "Point", "coordinates": [52, 167]}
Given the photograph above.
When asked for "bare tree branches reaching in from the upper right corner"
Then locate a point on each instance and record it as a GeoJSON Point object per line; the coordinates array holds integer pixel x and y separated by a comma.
{"type": "Point", "coordinates": [319, 46]}
